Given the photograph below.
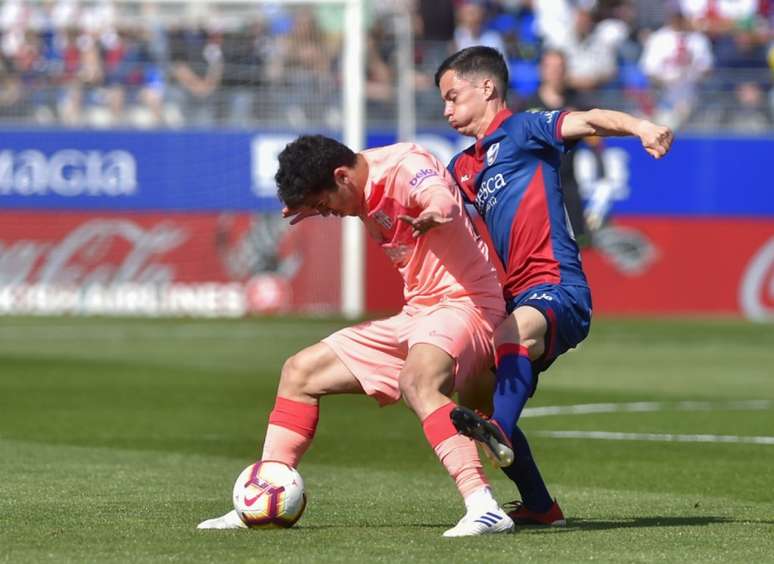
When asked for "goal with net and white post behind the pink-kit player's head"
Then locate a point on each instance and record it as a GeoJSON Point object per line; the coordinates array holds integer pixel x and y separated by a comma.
{"type": "Point", "coordinates": [140, 144]}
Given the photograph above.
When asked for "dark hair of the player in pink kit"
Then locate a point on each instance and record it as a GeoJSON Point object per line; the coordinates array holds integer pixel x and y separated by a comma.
{"type": "Point", "coordinates": [306, 168]}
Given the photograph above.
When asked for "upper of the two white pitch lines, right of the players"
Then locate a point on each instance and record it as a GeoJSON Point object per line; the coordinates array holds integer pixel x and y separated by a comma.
{"type": "Point", "coordinates": [645, 406]}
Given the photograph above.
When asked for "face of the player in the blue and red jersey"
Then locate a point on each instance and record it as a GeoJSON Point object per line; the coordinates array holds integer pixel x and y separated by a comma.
{"type": "Point", "coordinates": [464, 102]}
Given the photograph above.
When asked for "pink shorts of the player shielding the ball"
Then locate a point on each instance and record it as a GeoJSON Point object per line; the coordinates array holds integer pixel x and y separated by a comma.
{"type": "Point", "coordinates": [375, 351]}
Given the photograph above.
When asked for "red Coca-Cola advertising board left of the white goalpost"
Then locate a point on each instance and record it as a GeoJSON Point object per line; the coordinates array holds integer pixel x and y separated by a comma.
{"type": "Point", "coordinates": [165, 264]}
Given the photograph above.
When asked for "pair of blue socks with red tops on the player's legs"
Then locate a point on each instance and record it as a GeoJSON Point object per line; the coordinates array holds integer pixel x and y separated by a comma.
{"type": "Point", "coordinates": [513, 387]}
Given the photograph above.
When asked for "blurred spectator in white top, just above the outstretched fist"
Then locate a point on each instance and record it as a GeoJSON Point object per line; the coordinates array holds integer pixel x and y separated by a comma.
{"type": "Point", "coordinates": [675, 59]}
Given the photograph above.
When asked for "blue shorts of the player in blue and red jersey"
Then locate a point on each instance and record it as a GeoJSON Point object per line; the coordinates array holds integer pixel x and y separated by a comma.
{"type": "Point", "coordinates": [567, 309]}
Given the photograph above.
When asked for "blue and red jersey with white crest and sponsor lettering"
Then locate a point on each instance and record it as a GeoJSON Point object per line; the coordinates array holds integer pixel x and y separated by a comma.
{"type": "Point", "coordinates": [511, 176]}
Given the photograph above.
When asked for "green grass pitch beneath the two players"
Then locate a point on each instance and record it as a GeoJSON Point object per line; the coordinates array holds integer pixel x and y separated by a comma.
{"type": "Point", "coordinates": [118, 436]}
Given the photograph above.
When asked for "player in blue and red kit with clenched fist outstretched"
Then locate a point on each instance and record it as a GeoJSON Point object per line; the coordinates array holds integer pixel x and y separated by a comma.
{"type": "Point", "coordinates": [511, 176]}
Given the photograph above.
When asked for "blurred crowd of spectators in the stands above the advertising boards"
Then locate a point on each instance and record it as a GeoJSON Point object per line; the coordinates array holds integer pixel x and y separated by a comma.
{"type": "Point", "coordinates": [100, 63]}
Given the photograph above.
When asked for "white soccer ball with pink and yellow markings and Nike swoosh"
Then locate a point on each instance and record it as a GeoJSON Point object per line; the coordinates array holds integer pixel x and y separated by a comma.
{"type": "Point", "coordinates": [269, 494]}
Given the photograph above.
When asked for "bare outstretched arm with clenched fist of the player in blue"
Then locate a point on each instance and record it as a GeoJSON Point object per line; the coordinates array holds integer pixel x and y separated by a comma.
{"type": "Point", "coordinates": [656, 139]}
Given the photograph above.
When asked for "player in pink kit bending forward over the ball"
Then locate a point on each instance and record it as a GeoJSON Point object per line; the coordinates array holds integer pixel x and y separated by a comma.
{"type": "Point", "coordinates": [409, 203]}
